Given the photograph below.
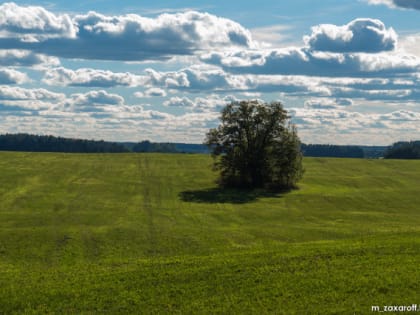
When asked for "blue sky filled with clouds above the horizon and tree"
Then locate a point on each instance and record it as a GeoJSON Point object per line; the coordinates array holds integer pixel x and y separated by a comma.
{"type": "Point", "coordinates": [347, 72]}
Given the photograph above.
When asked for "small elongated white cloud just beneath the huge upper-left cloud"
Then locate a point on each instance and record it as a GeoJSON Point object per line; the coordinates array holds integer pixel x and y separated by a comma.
{"type": "Point", "coordinates": [91, 78]}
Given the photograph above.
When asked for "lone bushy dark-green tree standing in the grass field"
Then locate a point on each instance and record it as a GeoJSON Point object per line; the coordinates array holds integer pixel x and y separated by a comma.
{"type": "Point", "coordinates": [256, 146]}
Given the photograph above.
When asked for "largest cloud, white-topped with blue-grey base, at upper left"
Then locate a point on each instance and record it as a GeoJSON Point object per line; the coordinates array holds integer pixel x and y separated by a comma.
{"type": "Point", "coordinates": [129, 37]}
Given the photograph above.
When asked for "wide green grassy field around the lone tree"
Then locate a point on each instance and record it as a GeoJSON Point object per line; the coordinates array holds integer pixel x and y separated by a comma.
{"type": "Point", "coordinates": [151, 234]}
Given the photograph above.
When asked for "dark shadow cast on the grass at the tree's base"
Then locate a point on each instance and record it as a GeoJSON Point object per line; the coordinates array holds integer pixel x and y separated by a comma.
{"type": "Point", "coordinates": [226, 195]}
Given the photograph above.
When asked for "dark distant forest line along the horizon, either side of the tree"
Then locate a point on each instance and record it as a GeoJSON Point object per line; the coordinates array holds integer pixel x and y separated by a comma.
{"type": "Point", "coordinates": [36, 143]}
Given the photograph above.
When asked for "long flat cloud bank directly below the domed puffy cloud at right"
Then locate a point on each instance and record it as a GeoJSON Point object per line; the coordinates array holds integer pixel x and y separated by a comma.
{"type": "Point", "coordinates": [301, 61]}
